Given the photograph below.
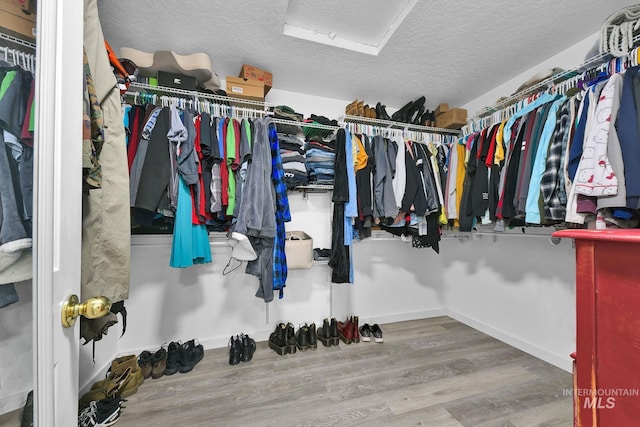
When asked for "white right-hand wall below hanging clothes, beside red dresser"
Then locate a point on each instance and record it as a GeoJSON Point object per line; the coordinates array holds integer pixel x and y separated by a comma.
{"type": "Point", "coordinates": [519, 289]}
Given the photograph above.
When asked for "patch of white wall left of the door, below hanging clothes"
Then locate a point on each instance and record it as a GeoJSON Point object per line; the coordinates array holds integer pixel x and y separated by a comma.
{"type": "Point", "coordinates": [16, 349]}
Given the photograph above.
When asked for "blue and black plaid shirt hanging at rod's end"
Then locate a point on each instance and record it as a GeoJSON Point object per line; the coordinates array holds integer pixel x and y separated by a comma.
{"type": "Point", "coordinates": [282, 212]}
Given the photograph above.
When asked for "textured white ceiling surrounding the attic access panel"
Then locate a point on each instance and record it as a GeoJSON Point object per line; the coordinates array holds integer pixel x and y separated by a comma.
{"type": "Point", "coordinates": [449, 51]}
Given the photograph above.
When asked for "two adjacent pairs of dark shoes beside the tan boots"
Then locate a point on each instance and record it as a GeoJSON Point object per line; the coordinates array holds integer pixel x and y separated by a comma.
{"type": "Point", "coordinates": [177, 357]}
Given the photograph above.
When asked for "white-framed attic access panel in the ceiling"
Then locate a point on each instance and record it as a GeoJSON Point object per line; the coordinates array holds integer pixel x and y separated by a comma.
{"type": "Point", "coordinates": [362, 26]}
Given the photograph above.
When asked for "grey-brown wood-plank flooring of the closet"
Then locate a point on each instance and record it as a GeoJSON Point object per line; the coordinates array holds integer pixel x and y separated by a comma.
{"type": "Point", "coordinates": [429, 372]}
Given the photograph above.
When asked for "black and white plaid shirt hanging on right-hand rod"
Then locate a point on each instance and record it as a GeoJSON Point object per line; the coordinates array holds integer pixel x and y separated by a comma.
{"type": "Point", "coordinates": [554, 209]}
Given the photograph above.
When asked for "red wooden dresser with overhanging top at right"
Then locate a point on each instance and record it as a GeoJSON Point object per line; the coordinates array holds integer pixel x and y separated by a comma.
{"type": "Point", "coordinates": [607, 382]}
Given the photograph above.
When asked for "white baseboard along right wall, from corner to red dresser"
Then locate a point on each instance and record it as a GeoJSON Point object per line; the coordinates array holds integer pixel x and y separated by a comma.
{"type": "Point", "coordinates": [562, 362]}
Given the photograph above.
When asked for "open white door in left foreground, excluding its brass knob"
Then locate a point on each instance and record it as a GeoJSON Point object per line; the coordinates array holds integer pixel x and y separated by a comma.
{"type": "Point", "coordinates": [57, 208]}
